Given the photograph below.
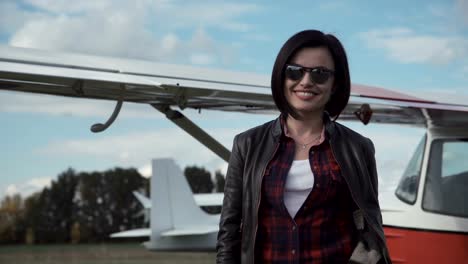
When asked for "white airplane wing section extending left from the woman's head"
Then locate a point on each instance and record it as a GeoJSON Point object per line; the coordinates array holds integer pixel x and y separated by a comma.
{"type": "Point", "coordinates": [131, 80]}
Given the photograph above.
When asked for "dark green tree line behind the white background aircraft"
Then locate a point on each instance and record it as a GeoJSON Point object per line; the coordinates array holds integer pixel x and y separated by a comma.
{"type": "Point", "coordinates": [86, 207]}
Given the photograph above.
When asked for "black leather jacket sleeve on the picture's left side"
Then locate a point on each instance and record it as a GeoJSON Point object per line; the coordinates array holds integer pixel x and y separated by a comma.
{"type": "Point", "coordinates": [229, 237]}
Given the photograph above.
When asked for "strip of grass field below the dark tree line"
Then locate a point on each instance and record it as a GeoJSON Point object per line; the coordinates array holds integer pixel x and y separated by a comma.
{"type": "Point", "coordinates": [97, 254]}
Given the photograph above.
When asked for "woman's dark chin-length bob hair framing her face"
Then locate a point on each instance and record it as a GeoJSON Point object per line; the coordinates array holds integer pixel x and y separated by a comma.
{"type": "Point", "coordinates": [342, 82]}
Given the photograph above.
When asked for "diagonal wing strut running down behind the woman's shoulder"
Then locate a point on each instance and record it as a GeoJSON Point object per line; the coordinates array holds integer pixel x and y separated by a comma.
{"type": "Point", "coordinates": [195, 131]}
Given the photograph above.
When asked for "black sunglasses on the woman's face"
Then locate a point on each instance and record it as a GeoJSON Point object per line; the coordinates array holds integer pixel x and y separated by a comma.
{"type": "Point", "coordinates": [318, 75]}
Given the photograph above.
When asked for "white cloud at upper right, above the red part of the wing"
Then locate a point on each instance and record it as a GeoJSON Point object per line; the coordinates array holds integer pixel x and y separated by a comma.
{"type": "Point", "coordinates": [406, 46]}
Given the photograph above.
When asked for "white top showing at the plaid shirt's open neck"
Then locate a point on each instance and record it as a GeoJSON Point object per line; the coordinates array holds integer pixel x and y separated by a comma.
{"type": "Point", "coordinates": [299, 184]}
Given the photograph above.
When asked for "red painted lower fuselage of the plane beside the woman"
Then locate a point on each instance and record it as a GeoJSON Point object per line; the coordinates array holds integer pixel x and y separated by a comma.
{"type": "Point", "coordinates": [420, 246]}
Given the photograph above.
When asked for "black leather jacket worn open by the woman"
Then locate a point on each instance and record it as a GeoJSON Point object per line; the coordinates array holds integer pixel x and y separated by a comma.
{"type": "Point", "coordinates": [252, 151]}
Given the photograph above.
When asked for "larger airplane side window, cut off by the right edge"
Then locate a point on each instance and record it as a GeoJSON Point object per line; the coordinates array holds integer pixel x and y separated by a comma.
{"type": "Point", "coordinates": [447, 179]}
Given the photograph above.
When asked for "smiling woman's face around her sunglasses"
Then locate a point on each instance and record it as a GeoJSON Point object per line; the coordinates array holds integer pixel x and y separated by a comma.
{"type": "Point", "coordinates": [305, 96]}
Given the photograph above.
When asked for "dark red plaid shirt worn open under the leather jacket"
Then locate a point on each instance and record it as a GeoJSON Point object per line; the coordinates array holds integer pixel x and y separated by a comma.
{"type": "Point", "coordinates": [322, 230]}
